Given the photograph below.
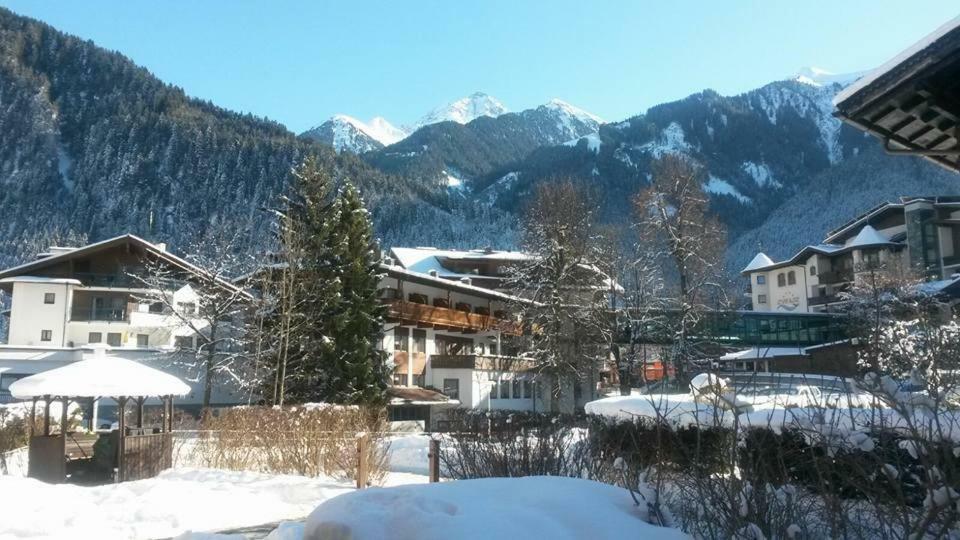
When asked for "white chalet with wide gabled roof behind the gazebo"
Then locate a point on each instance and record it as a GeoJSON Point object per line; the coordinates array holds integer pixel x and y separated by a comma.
{"type": "Point", "coordinates": [69, 303]}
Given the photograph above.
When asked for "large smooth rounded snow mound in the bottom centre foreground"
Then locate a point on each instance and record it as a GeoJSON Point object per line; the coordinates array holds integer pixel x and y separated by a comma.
{"type": "Point", "coordinates": [530, 507]}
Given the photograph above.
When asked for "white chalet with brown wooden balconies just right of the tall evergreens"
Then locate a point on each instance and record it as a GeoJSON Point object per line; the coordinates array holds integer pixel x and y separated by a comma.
{"type": "Point", "coordinates": [460, 341]}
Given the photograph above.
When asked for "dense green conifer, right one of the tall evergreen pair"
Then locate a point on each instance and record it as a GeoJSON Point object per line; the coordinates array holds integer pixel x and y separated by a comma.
{"type": "Point", "coordinates": [361, 367]}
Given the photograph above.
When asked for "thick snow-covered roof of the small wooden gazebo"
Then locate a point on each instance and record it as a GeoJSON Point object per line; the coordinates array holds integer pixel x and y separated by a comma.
{"type": "Point", "coordinates": [100, 376]}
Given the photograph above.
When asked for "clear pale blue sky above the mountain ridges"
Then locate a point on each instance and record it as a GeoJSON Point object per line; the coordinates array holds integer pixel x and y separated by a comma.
{"type": "Point", "coordinates": [299, 62]}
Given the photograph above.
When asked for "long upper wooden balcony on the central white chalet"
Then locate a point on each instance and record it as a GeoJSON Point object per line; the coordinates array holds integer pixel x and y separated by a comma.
{"type": "Point", "coordinates": [442, 318]}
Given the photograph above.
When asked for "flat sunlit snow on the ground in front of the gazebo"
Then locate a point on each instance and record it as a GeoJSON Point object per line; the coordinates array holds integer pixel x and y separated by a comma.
{"type": "Point", "coordinates": [175, 502]}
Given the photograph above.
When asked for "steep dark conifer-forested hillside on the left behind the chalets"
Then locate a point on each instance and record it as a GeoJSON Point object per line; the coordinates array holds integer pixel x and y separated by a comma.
{"type": "Point", "coordinates": [93, 145]}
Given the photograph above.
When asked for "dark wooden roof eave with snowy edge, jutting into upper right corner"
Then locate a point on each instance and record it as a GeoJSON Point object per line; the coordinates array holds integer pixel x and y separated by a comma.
{"type": "Point", "coordinates": [912, 102]}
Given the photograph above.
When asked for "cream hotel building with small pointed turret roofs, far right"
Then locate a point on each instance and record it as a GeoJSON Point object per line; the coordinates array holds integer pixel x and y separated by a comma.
{"type": "Point", "coordinates": [916, 237]}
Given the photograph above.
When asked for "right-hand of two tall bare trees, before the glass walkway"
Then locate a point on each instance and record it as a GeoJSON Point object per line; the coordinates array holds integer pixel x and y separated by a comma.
{"type": "Point", "coordinates": [677, 230]}
